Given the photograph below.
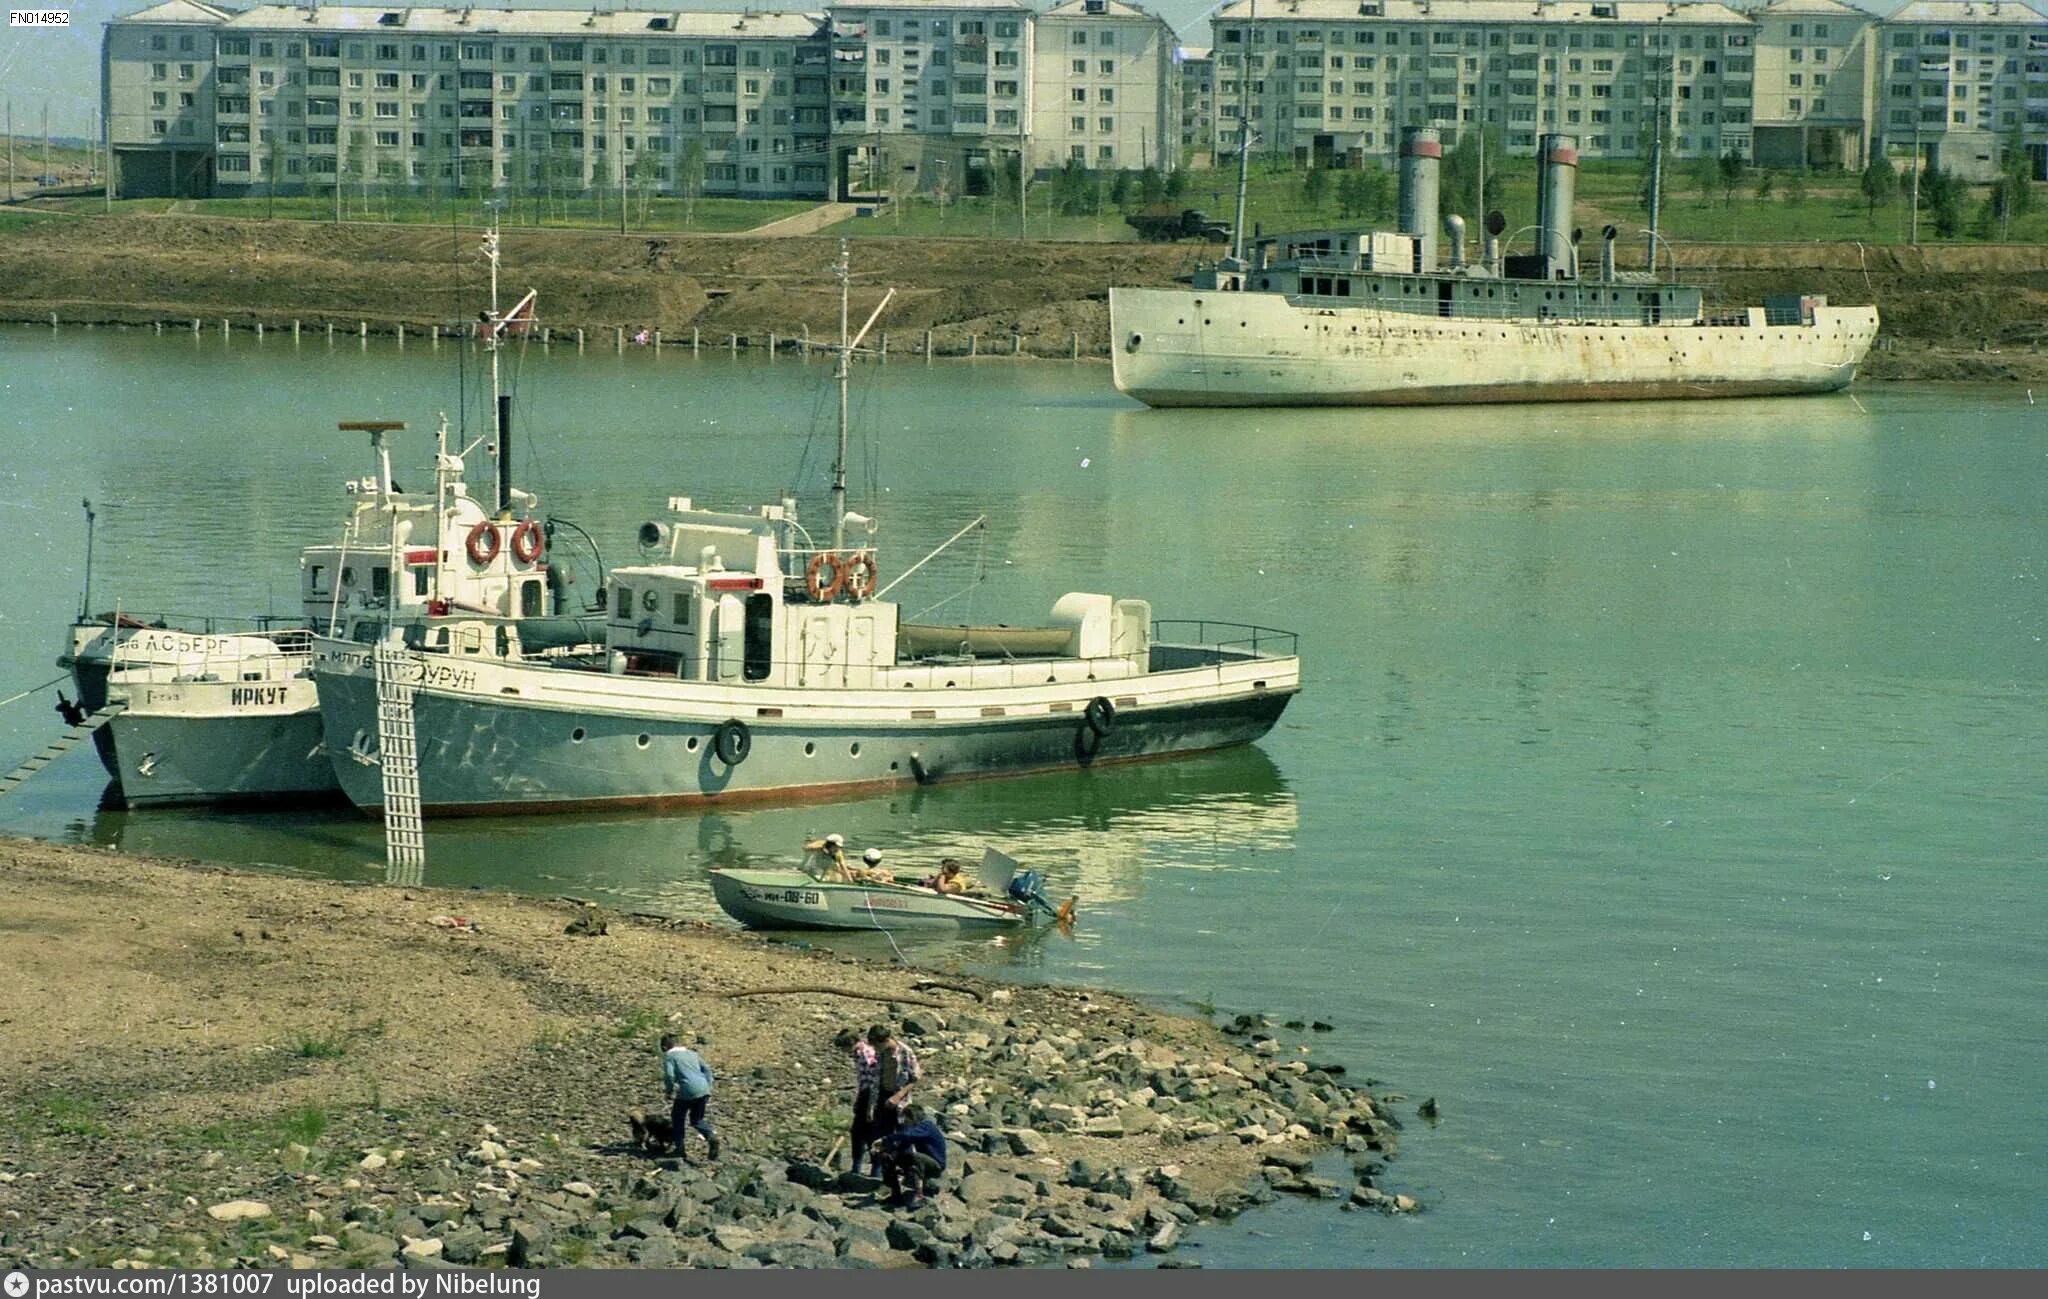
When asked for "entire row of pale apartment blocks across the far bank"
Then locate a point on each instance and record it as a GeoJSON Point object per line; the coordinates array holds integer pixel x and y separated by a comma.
{"type": "Point", "coordinates": [923, 95]}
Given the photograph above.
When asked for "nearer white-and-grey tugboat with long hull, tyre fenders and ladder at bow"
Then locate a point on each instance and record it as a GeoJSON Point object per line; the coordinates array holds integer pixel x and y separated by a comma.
{"type": "Point", "coordinates": [751, 661]}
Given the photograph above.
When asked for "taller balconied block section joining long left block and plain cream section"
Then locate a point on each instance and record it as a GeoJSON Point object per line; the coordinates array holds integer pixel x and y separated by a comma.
{"type": "Point", "coordinates": [931, 93]}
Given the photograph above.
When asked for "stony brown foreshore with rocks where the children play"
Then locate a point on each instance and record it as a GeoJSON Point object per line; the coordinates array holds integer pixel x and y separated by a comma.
{"type": "Point", "coordinates": [376, 1089]}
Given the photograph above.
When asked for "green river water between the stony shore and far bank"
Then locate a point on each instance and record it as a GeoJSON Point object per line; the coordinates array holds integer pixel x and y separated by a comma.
{"type": "Point", "coordinates": [1666, 796]}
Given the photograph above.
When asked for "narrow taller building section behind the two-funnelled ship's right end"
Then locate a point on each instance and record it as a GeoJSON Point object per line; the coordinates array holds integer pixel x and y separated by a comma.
{"type": "Point", "coordinates": [1816, 83]}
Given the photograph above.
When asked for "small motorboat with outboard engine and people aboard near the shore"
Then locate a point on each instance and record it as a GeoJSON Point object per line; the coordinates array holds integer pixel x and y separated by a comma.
{"type": "Point", "coordinates": [806, 898]}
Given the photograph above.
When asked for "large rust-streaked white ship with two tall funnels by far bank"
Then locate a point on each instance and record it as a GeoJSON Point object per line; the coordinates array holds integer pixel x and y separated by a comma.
{"type": "Point", "coordinates": [1373, 319]}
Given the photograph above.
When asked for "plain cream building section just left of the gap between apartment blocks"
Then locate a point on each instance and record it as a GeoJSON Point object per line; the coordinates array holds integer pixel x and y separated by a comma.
{"type": "Point", "coordinates": [1103, 89]}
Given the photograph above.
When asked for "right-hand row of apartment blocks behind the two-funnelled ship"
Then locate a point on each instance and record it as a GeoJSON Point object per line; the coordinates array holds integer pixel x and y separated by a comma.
{"type": "Point", "coordinates": [1793, 83]}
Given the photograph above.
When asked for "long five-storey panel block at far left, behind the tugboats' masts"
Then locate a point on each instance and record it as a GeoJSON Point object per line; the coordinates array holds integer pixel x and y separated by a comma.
{"type": "Point", "coordinates": [501, 99]}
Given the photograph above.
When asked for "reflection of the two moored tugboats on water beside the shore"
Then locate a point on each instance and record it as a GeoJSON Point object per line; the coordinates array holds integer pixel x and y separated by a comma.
{"type": "Point", "coordinates": [1099, 835]}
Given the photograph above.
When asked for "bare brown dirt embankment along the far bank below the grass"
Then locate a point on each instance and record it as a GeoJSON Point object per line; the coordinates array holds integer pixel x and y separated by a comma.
{"type": "Point", "coordinates": [1951, 312]}
